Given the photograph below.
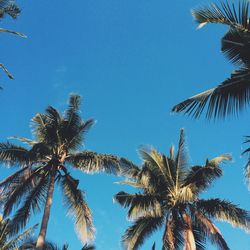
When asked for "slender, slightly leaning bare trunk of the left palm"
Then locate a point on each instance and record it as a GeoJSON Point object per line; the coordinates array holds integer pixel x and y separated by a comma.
{"type": "Point", "coordinates": [41, 238]}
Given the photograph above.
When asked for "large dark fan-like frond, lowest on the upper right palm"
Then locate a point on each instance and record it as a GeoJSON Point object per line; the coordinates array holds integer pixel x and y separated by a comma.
{"type": "Point", "coordinates": [230, 97]}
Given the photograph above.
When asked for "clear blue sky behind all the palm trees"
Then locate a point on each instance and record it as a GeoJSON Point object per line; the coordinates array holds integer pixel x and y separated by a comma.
{"type": "Point", "coordinates": [131, 61]}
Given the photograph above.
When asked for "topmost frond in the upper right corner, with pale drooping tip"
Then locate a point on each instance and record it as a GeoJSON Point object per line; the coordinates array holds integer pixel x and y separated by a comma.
{"type": "Point", "coordinates": [229, 14]}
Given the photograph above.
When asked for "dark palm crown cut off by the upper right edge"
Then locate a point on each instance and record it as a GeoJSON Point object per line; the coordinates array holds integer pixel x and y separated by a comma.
{"type": "Point", "coordinates": [232, 95]}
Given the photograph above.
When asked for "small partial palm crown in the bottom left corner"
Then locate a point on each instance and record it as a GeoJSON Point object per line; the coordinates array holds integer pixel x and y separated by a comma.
{"type": "Point", "coordinates": [8, 241]}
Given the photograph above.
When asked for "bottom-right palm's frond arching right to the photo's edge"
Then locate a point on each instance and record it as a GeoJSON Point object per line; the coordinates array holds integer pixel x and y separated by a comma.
{"type": "Point", "coordinates": [225, 211]}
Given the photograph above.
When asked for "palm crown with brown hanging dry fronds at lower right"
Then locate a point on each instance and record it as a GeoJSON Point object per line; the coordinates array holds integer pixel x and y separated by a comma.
{"type": "Point", "coordinates": [169, 199]}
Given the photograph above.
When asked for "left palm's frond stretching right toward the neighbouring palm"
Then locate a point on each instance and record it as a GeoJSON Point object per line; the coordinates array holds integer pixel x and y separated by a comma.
{"type": "Point", "coordinates": [91, 162]}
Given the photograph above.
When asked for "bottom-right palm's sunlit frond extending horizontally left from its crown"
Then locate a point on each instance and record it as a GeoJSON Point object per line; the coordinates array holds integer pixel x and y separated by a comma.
{"type": "Point", "coordinates": [140, 205]}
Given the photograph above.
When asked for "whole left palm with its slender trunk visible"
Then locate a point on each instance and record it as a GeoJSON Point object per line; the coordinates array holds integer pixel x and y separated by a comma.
{"type": "Point", "coordinates": [57, 139]}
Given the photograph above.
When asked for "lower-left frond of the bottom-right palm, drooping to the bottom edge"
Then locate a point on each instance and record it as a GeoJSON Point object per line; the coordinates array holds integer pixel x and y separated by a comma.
{"type": "Point", "coordinates": [142, 228]}
